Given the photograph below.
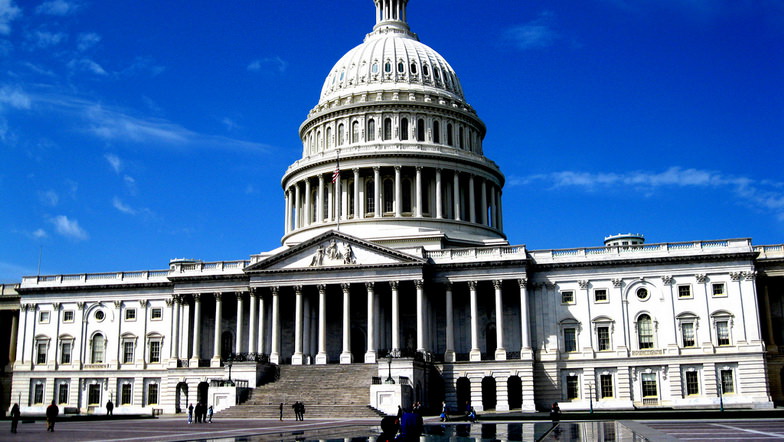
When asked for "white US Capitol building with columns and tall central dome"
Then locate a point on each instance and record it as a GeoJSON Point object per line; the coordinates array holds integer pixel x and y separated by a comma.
{"type": "Point", "coordinates": [394, 260]}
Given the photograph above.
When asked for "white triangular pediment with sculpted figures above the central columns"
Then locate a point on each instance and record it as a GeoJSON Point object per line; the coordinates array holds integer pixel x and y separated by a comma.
{"type": "Point", "coordinates": [334, 250]}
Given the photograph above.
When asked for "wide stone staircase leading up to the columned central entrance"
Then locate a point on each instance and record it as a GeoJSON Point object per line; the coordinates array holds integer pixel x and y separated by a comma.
{"type": "Point", "coordinates": [328, 391]}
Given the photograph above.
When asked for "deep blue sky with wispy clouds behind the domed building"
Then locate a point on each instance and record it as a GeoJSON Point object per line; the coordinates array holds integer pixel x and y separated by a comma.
{"type": "Point", "coordinates": [135, 132]}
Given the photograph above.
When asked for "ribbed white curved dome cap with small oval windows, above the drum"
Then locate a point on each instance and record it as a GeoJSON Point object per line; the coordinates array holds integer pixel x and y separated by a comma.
{"type": "Point", "coordinates": [391, 59]}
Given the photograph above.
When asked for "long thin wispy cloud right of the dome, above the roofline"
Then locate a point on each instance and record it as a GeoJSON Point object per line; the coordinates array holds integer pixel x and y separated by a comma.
{"type": "Point", "coordinates": [764, 194]}
